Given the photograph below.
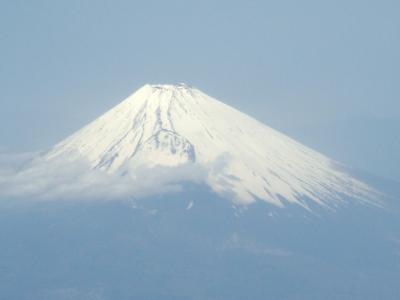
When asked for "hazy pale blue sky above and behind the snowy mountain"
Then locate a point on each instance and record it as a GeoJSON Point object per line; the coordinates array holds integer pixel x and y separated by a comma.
{"type": "Point", "coordinates": [324, 72]}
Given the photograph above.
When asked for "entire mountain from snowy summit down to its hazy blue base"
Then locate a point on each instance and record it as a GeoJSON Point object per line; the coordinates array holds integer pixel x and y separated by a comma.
{"type": "Point", "coordinates": [210, 204]}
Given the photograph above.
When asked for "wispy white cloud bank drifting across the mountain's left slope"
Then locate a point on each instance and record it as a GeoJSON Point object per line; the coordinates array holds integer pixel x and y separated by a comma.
{"type": "Point", "coordinates": [76, 180]}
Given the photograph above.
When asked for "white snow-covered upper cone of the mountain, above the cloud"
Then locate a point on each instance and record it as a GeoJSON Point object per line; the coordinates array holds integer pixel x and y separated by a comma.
{"type": "Point", "coordinates": [176, 125]}
